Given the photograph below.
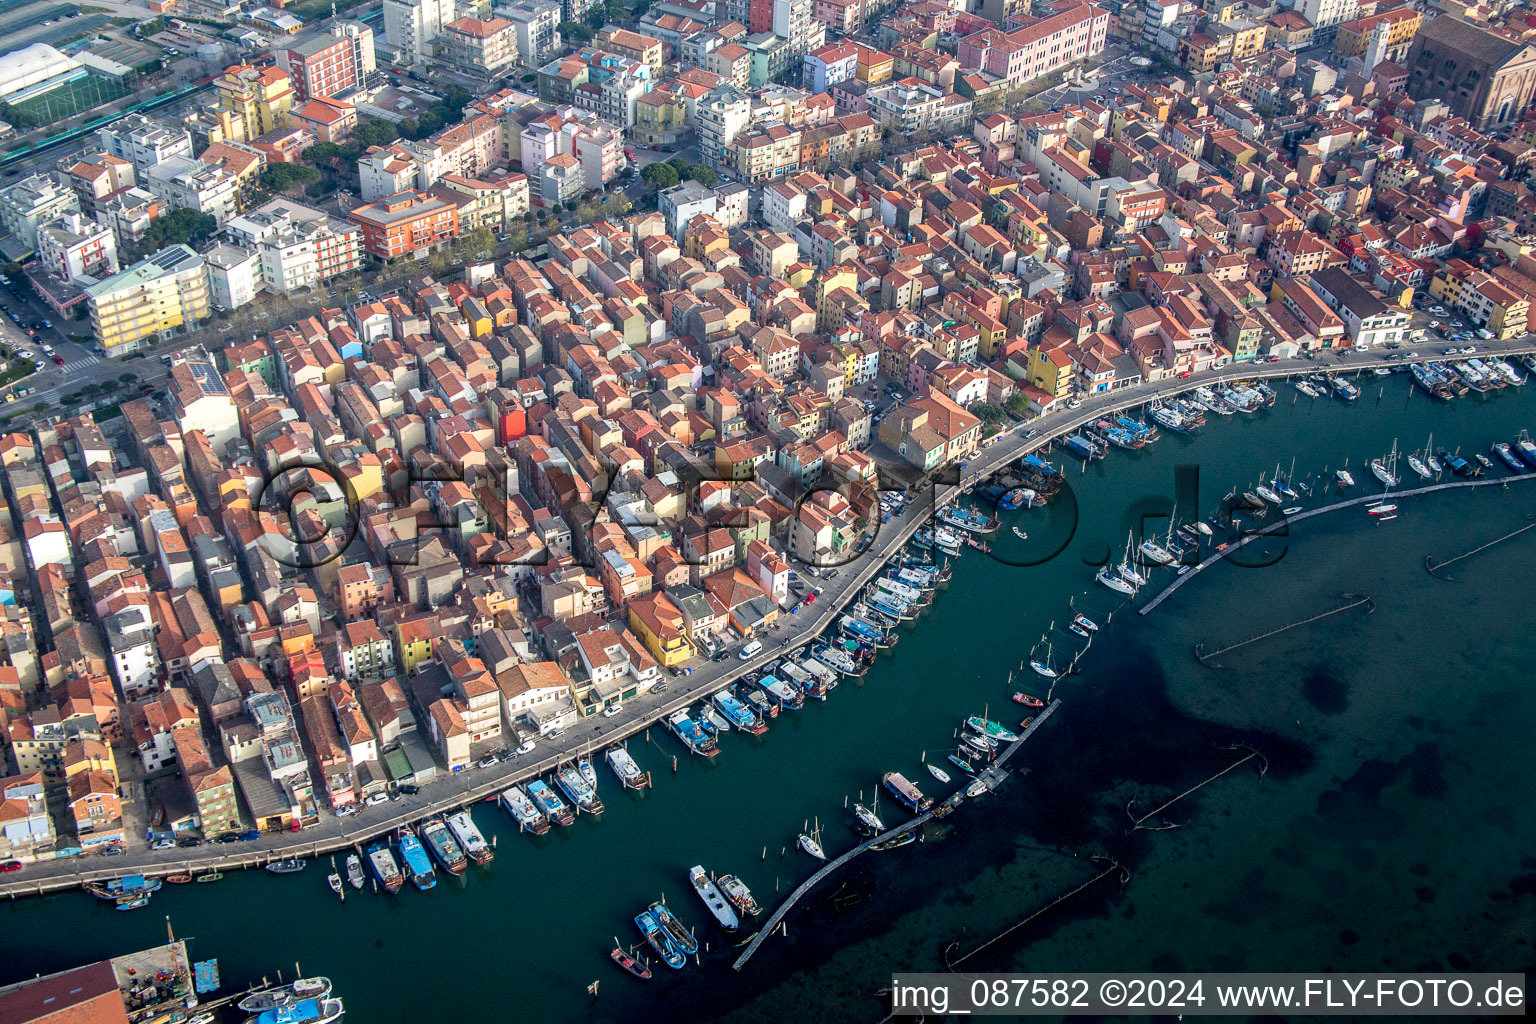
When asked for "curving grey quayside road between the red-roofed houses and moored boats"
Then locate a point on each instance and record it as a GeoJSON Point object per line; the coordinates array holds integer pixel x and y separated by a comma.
{"type": "Point", "coordinates": [452, 791]}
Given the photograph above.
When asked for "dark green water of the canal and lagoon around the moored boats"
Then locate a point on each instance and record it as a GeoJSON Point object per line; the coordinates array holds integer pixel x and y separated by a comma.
{"type": "Point", "coordinates": [1392, 830]}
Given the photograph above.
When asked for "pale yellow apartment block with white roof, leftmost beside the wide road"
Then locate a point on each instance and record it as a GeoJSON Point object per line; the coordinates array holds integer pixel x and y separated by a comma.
{"type": "Point", "coordinates": [154, 297]}
